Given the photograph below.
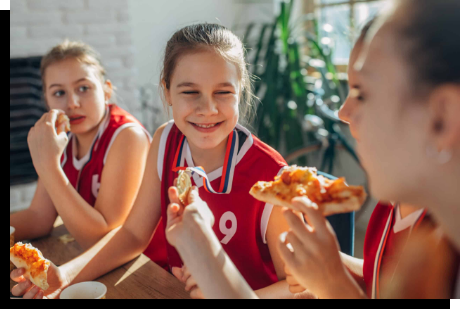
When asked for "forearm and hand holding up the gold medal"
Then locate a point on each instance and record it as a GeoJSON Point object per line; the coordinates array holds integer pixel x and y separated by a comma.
{"type": "Point", "coordinates": [190, 231]}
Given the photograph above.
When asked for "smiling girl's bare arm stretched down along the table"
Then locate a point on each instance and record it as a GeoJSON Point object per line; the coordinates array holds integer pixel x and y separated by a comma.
{"type": "Point", "coordinates": [121, 245]}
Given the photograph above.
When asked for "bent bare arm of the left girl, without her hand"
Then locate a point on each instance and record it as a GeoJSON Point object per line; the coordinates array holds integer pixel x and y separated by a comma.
{"type": "Point", "coordinates": [120, 181]}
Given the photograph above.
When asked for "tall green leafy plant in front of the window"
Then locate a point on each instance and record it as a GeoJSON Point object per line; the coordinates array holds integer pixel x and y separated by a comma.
{"type": "Point", "coordinates": [281, 58]}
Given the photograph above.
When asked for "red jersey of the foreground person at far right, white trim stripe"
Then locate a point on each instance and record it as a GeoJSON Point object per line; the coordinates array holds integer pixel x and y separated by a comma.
{"type": "Point", "coordinates": [384, 235]}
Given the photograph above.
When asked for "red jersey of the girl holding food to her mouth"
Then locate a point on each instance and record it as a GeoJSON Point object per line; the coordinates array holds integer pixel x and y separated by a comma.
{"type": "Point", "coordinates": [85, 174]}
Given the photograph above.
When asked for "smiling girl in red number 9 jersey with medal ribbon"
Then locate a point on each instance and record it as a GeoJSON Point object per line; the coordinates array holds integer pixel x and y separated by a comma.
{"type": "Point", "coordinates": [206, 84]}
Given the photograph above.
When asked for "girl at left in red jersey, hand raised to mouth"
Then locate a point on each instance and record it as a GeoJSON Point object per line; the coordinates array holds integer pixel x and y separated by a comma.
{"type": "Point", "coordinates": [89, 178]}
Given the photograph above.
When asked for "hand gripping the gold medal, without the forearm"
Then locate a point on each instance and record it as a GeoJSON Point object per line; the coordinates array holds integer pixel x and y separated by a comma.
{"type": "Point", "coordinates": [182, 221]}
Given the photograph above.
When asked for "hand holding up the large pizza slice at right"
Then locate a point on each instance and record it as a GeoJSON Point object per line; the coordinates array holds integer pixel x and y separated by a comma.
{"type": "Point", "coordinates": [315, 261]}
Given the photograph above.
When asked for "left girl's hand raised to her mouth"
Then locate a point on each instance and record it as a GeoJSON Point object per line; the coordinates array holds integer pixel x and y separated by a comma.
{"type": "Point", "coordinates": [45, 144]}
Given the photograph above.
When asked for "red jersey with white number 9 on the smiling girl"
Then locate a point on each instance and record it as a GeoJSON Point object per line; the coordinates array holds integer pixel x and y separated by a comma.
{"type": "Point", "coordinates": [241, 221]}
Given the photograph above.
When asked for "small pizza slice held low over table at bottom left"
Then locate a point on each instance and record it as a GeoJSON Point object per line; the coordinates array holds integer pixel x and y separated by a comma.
{"type": "Point", "coordinates": [32, 260]}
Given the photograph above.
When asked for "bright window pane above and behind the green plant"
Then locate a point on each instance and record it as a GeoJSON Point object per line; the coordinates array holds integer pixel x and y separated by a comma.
{"type": "Point", "coordinates": [340, 21]}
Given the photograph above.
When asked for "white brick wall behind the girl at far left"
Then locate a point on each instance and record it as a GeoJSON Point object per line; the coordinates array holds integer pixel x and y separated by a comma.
{"type": "Point", "coordinates": [38, 25]}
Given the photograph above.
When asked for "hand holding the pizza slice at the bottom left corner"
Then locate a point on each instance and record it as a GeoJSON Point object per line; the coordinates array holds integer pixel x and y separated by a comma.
{"type": "Point", "coordinates": [56, 280]}
